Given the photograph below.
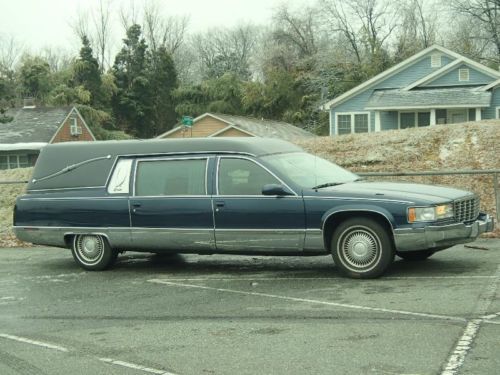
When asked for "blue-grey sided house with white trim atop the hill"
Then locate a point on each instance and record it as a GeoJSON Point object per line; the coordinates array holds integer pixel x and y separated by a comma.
{"type": "Point", "coordinates": [435, 86]}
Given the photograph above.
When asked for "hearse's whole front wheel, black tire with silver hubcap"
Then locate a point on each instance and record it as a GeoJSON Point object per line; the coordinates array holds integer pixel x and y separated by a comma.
{"type": "Point", "coordinates": [362, 248]}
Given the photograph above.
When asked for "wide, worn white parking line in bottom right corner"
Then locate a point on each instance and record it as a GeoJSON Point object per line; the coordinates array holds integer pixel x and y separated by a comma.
{"type": "Point", "coordinates": [457, 357]}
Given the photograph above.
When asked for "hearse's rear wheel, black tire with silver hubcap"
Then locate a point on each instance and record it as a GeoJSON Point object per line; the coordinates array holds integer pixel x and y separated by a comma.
{"type": "Point", "coordinates": [92, 252]}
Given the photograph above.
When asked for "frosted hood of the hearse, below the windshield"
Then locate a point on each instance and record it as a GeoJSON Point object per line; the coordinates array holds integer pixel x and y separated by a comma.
{"type": "Point", "coordinates": [408, 192]}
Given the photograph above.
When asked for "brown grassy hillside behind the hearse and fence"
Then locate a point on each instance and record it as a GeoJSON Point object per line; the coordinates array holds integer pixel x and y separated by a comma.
{"type": "Point", "coordinates": [445, 147]}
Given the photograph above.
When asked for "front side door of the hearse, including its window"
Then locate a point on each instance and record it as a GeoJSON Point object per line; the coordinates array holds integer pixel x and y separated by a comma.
{"type": "Point", "coordinates": [246, 220]}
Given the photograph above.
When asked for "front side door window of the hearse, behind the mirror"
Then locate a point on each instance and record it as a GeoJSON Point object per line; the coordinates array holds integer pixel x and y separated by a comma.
{"type": "Point", "coordinates": [242, 177]}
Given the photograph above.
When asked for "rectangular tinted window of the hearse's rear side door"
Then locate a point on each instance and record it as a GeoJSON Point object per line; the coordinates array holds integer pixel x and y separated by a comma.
{"type": "Point", "coordinates": [171, 177]}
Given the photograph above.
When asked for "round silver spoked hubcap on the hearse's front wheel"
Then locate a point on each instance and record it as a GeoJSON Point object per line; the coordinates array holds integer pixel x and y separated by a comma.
{"type": "Point", "coordinates": [360, 248]}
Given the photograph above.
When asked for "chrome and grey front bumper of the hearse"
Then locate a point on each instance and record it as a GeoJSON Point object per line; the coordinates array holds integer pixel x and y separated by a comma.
{"type": "Point", "coordinates": [431, 237]}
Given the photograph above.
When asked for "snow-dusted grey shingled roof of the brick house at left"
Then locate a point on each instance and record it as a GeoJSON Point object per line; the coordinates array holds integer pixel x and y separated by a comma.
{"type": "Point", "coordinates": [32, 125]}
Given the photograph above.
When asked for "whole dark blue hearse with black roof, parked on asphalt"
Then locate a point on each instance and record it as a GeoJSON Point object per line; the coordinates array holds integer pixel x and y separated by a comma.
{"type": "Point", "coordinates": [237, 196]}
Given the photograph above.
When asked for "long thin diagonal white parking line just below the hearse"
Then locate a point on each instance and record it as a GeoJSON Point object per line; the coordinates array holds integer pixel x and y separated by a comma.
{"type": "Point", "coordinates": [336, 304]}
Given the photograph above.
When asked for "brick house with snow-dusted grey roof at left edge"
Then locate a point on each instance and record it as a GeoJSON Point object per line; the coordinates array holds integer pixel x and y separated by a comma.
{"type": "Point", "coordinates": [31, 128]}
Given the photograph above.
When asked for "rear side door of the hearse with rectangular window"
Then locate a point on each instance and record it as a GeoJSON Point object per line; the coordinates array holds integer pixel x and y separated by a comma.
{"type": "Point", "coordinates": [171, 208]}
